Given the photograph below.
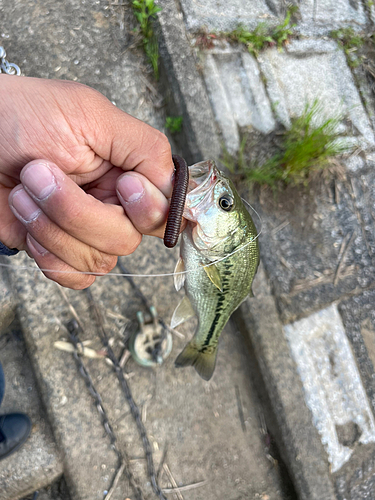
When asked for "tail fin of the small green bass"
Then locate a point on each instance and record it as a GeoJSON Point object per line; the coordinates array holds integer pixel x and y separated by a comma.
{"type": "Point", "coordinates": [203, 361]}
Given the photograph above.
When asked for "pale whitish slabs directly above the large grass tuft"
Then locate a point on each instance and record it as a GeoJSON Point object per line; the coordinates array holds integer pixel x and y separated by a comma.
{"type": "Point", "coordinates": [310, 70]}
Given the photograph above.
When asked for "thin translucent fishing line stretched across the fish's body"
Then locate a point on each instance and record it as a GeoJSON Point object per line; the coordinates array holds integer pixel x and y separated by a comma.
{"type": "Point", "coordinates": [157, 275]}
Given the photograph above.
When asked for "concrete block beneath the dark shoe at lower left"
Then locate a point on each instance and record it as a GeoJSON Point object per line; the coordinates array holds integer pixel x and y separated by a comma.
{"type": "Point", "coordinates": [37, 464]}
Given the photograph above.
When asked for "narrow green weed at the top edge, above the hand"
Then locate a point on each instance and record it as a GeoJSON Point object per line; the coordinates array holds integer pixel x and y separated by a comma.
{"type": "Point", "coordinates": [145, 11]}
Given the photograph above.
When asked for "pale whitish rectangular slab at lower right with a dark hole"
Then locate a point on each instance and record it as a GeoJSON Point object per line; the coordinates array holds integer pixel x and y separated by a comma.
{"type": "Point", "coordinates": [332, 386]}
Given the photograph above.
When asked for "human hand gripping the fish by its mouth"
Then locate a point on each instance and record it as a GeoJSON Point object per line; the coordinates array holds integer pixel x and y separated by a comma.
{"type": "Point", "coordinates": [80, 180]}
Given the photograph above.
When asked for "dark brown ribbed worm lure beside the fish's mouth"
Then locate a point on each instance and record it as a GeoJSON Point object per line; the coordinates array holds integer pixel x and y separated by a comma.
{"type": "Point", "coordinates": [172, 229]}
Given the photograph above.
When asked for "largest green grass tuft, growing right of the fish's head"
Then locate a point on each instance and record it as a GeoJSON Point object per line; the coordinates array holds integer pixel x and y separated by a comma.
{"type": "Point", "coordinates": [303, 149]}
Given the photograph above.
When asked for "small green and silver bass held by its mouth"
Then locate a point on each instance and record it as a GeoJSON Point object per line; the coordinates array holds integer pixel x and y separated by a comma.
{"type": "Point", "coordinates": [219, 257]}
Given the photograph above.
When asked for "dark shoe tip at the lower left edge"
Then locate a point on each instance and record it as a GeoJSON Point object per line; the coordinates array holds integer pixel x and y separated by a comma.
{"type": "Point", "coordinates": [14, 430]}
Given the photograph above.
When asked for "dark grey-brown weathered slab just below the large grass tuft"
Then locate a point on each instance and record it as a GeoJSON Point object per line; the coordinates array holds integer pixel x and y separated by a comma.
{"type": "Point", "coordinates": [306, 236]}
